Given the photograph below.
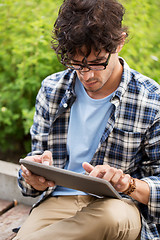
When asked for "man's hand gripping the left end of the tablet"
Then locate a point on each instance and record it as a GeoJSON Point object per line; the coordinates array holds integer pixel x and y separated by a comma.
{"type": "Point", "coordinates": [38, 182]}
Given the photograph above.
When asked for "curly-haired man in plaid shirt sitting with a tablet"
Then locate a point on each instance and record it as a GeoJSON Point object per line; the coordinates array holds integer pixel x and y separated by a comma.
{"type": "Point", "coordinates": [97, 116]}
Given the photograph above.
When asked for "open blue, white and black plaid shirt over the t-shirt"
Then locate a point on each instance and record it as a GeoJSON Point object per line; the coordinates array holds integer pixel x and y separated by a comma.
{"type": "Point", "coordinates": [131, 140]}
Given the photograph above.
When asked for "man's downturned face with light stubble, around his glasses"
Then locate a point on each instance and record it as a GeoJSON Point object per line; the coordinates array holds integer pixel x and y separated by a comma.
{"type": "Point", "coordinates": [99, 84]}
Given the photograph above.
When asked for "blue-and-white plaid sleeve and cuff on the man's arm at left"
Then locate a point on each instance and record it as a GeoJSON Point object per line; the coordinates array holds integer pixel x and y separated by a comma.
{"type": "Point", "coordinates": [39, 133]}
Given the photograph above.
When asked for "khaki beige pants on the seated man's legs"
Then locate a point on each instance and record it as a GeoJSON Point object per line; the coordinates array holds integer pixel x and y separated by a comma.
{"type": "Point", "coordinates": [82, 218]}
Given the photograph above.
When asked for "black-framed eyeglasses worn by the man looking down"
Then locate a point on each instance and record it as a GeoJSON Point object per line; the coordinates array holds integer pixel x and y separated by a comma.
{"type": "Point", "coordinates": [91, 66]}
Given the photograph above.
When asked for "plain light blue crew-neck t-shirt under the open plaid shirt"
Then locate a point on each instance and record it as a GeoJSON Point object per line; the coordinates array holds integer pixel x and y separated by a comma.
{"type": "Point", "coordinates": [88, 119]}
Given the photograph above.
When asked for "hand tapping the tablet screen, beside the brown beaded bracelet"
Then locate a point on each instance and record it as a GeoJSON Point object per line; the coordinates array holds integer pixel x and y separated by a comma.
{"type": "Point", "coordinates": [116, 177]}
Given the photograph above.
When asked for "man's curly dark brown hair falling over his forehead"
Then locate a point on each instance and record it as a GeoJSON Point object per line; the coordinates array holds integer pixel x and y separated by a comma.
{"type": "Point", "coordinates": [93, 24]}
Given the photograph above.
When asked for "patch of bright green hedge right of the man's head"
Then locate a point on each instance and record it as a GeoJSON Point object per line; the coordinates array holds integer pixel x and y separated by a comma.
{"type": "Point", "coordinates": [142, 52]}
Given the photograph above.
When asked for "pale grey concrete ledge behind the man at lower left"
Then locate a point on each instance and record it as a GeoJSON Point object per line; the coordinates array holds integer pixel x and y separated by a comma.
{"type": "Point", "coordinates": [9, 189]}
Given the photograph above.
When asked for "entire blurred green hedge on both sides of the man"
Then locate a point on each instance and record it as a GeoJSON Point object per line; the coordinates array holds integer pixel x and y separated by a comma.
{"type": "Point", "coordinates": [26, 57]}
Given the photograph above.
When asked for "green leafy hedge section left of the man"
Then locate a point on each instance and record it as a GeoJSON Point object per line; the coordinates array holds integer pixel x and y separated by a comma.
{"type": "Point", "coordinates": [26, 58]}
